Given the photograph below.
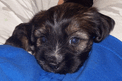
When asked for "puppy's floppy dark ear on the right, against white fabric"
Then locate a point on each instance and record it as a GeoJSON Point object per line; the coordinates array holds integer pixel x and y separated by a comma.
{"type": "Point", "coordinates": [105, 25]}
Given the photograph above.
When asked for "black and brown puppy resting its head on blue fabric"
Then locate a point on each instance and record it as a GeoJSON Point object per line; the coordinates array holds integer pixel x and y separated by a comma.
{"type": "Point", "coordinates": [61, 38]}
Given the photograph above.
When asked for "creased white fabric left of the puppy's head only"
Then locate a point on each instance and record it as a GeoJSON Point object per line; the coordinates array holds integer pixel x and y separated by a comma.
{"type": "Point", "coordinates": [14, 12]}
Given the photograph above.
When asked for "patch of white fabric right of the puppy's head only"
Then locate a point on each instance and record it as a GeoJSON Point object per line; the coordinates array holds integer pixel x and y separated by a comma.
{"type": "Point", "coordinates": [112, 8]}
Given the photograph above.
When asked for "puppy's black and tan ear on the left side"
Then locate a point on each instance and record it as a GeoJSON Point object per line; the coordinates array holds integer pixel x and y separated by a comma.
{"type": "Point", "coordinates": [20, 37]}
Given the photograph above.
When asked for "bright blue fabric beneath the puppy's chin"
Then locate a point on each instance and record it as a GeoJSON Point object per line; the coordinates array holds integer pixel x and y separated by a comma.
{"type": "Point", "coordinates": [104, 64]}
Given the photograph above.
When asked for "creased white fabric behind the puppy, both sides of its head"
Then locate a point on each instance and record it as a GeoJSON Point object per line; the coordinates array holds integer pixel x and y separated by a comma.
{"type": "Point", "coordinates": [14, 12]}
